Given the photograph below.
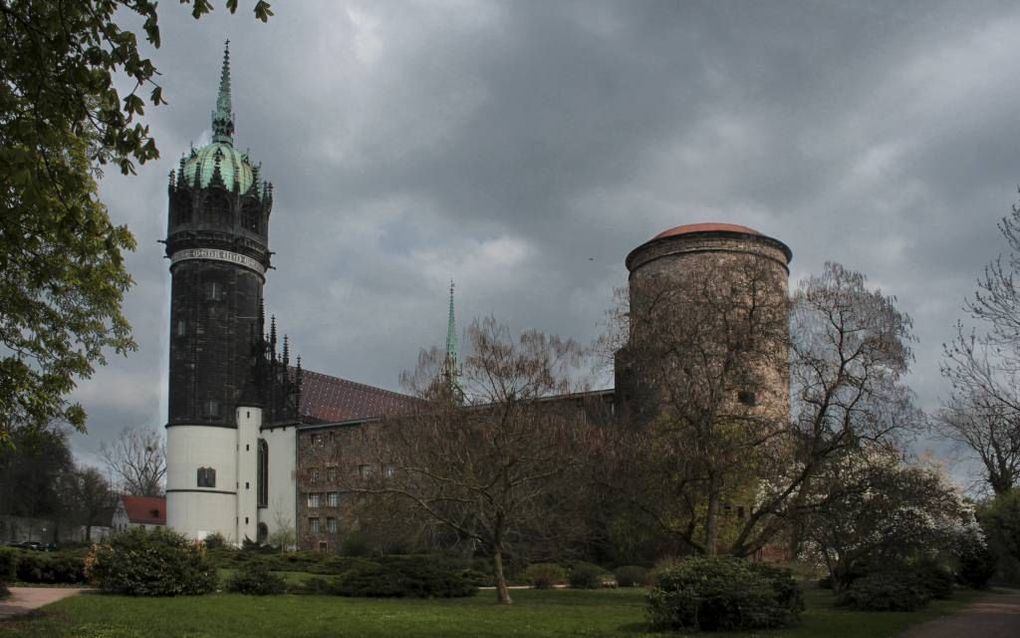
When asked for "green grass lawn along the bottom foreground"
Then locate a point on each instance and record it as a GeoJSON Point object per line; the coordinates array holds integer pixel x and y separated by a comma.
{"type": "Point", "coordinates": [558, 613]}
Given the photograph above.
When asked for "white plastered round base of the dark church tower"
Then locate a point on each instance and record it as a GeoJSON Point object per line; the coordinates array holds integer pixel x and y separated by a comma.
{"type": "Point", "coordinates": [199, 512]}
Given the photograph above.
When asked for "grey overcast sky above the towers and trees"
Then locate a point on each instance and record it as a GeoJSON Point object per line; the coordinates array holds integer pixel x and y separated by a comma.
{"type": "Point", "coordinates": [524, 149]}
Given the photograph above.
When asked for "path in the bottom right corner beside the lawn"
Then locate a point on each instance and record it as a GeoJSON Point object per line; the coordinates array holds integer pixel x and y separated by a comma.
{"type": "Point", "coordinates": [998, 616]}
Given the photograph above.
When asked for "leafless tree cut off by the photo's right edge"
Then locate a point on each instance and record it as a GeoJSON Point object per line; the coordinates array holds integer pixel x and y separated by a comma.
{"type": "Point", "coordinates": [982, 415]}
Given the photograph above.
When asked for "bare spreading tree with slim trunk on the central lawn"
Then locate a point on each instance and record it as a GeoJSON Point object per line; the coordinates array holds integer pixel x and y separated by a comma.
{"type": "Point", "coordinates": [488, 449]}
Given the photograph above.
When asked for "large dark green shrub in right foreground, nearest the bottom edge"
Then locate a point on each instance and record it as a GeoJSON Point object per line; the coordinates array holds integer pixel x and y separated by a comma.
{"type": "Point", "coordinates": [724, 594]}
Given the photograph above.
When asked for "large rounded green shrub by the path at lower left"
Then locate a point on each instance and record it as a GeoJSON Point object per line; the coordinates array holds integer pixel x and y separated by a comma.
{"type": "Point", "coordinates": [158, 563]}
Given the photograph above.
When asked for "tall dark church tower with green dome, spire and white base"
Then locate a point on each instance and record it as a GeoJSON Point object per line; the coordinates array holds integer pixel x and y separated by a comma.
{"type": "Point", "coordinates": [218, 243]}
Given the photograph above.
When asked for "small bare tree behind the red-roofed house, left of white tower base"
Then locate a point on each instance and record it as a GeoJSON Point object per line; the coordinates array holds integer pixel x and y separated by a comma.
{"type": "Point", "coordinates": [138, 461]}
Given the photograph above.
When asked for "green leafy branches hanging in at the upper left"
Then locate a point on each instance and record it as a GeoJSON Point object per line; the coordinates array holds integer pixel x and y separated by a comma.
{"type": "Point", "coordinates": [62, 120]}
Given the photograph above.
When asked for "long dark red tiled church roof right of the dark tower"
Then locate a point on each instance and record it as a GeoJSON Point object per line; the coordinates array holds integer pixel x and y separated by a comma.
{"type": "Point", "coordinates": [330, 400]}
